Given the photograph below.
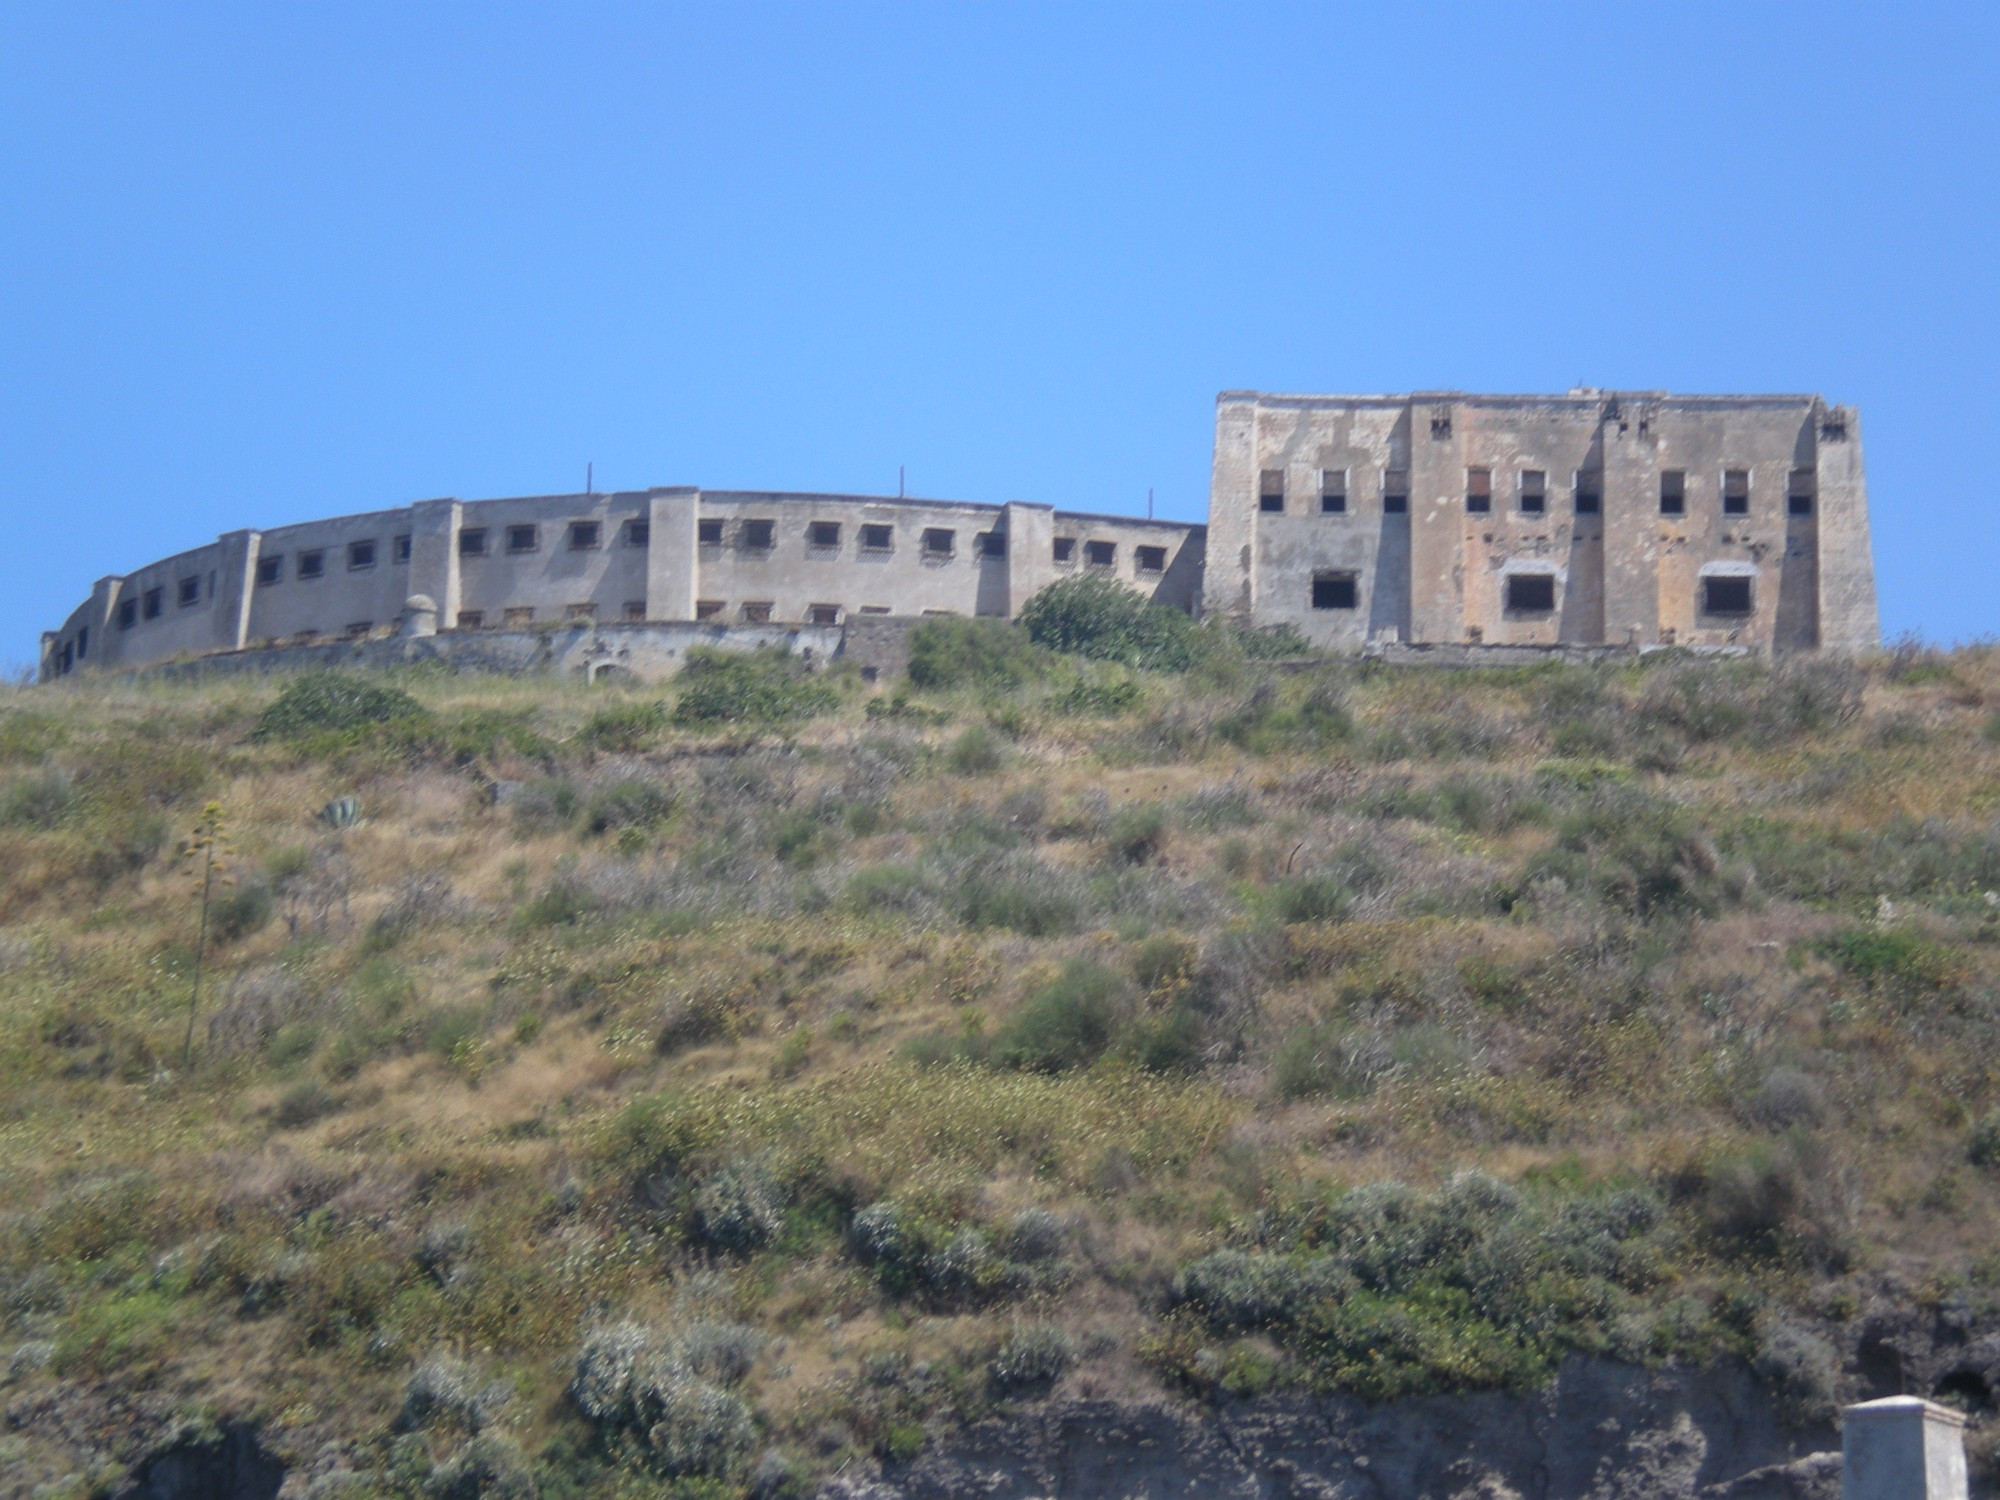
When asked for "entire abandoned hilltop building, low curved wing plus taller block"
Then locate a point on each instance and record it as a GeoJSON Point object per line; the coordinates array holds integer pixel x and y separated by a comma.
{"type": "Point", "coordinates": [1591, 519]}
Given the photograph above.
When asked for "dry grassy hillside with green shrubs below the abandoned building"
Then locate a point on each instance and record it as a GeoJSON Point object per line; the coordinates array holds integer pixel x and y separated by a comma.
{"type": "Point", "coordinates": [715, 1085]}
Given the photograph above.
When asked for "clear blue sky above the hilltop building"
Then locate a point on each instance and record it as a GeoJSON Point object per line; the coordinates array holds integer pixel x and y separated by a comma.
{"type": "Point", "coordinates": [269, 263]}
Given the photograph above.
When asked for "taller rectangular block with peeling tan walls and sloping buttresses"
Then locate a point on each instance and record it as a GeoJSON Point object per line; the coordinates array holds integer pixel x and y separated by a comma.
{"type": "Point", "coordinates": [1623, 519]}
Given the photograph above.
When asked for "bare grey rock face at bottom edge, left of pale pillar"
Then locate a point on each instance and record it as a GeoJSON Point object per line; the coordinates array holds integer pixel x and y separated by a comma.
{"type": "Point", "coordinates": [1603, 1431]}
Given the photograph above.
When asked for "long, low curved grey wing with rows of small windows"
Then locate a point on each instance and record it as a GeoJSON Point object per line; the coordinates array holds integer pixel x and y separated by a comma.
{"type": "Point", "coordinates": [673, 555]}
